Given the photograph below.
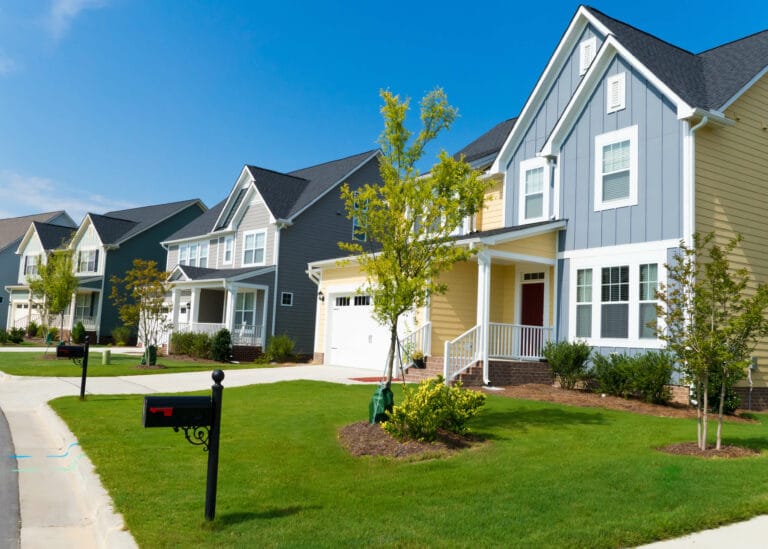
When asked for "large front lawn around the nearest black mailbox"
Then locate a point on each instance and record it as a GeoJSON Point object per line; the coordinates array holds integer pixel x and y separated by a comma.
{"type": "Point", "coordinates": [549, 476]}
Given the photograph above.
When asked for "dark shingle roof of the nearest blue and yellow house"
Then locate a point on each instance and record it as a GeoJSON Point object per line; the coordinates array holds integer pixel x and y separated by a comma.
{"type": "Point", "coordinates": [706, 80]}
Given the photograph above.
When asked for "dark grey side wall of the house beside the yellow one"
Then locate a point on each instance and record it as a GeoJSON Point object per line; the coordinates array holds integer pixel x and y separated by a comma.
{"type": "Point", "coordinates": [314, 236]}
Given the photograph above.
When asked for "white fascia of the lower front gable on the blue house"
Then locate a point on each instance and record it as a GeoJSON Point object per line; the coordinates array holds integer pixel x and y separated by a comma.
{"type": "Point", "coordinates": [610, 50]}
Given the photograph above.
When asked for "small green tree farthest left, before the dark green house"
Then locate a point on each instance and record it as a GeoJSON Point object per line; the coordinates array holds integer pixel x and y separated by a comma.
{"type": "Point", "coordinates": [54, 284]}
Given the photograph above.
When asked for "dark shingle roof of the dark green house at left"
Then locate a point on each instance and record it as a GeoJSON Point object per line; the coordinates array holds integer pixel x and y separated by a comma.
{"type": "Point", "coordinates": [120, 225]}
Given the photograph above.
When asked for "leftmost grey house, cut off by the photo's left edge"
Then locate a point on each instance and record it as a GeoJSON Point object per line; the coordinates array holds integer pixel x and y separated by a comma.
{"type": "Point", "coordinates": [12, 231]}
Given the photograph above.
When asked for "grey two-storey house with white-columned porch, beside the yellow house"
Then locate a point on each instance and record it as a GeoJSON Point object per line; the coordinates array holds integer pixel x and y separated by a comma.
{"type": "Point", "coordinates": [242, 265]}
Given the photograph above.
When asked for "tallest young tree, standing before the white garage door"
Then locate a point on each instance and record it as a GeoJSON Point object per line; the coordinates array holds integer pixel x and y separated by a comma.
{"type": "Point", "coordinates": [407, 221]}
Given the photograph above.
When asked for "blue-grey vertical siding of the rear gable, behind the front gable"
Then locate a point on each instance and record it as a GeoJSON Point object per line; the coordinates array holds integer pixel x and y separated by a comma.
{"type": "Point", "coordinates": [541, 126]}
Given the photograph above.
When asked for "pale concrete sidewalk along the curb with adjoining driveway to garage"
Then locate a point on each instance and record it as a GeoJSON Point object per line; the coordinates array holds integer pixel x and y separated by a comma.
{"type": "Point", "coordinates": [62, 501]}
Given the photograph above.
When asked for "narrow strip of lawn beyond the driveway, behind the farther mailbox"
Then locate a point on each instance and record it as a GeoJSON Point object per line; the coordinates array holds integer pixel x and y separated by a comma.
{"type": "Point", "coordinates": [38, 364]}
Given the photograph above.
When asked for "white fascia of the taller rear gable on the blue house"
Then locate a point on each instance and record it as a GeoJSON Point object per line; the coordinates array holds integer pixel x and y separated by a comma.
{"type": "Point", "coordinates": [545, 82]}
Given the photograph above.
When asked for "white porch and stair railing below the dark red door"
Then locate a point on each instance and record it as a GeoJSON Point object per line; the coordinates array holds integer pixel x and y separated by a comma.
{"type": "Point", "coordinates": [506, 341]}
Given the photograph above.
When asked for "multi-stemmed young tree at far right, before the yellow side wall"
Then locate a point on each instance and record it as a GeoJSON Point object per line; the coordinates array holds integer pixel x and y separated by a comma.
{"type": "Point", "coordinates": [712, 319]}
